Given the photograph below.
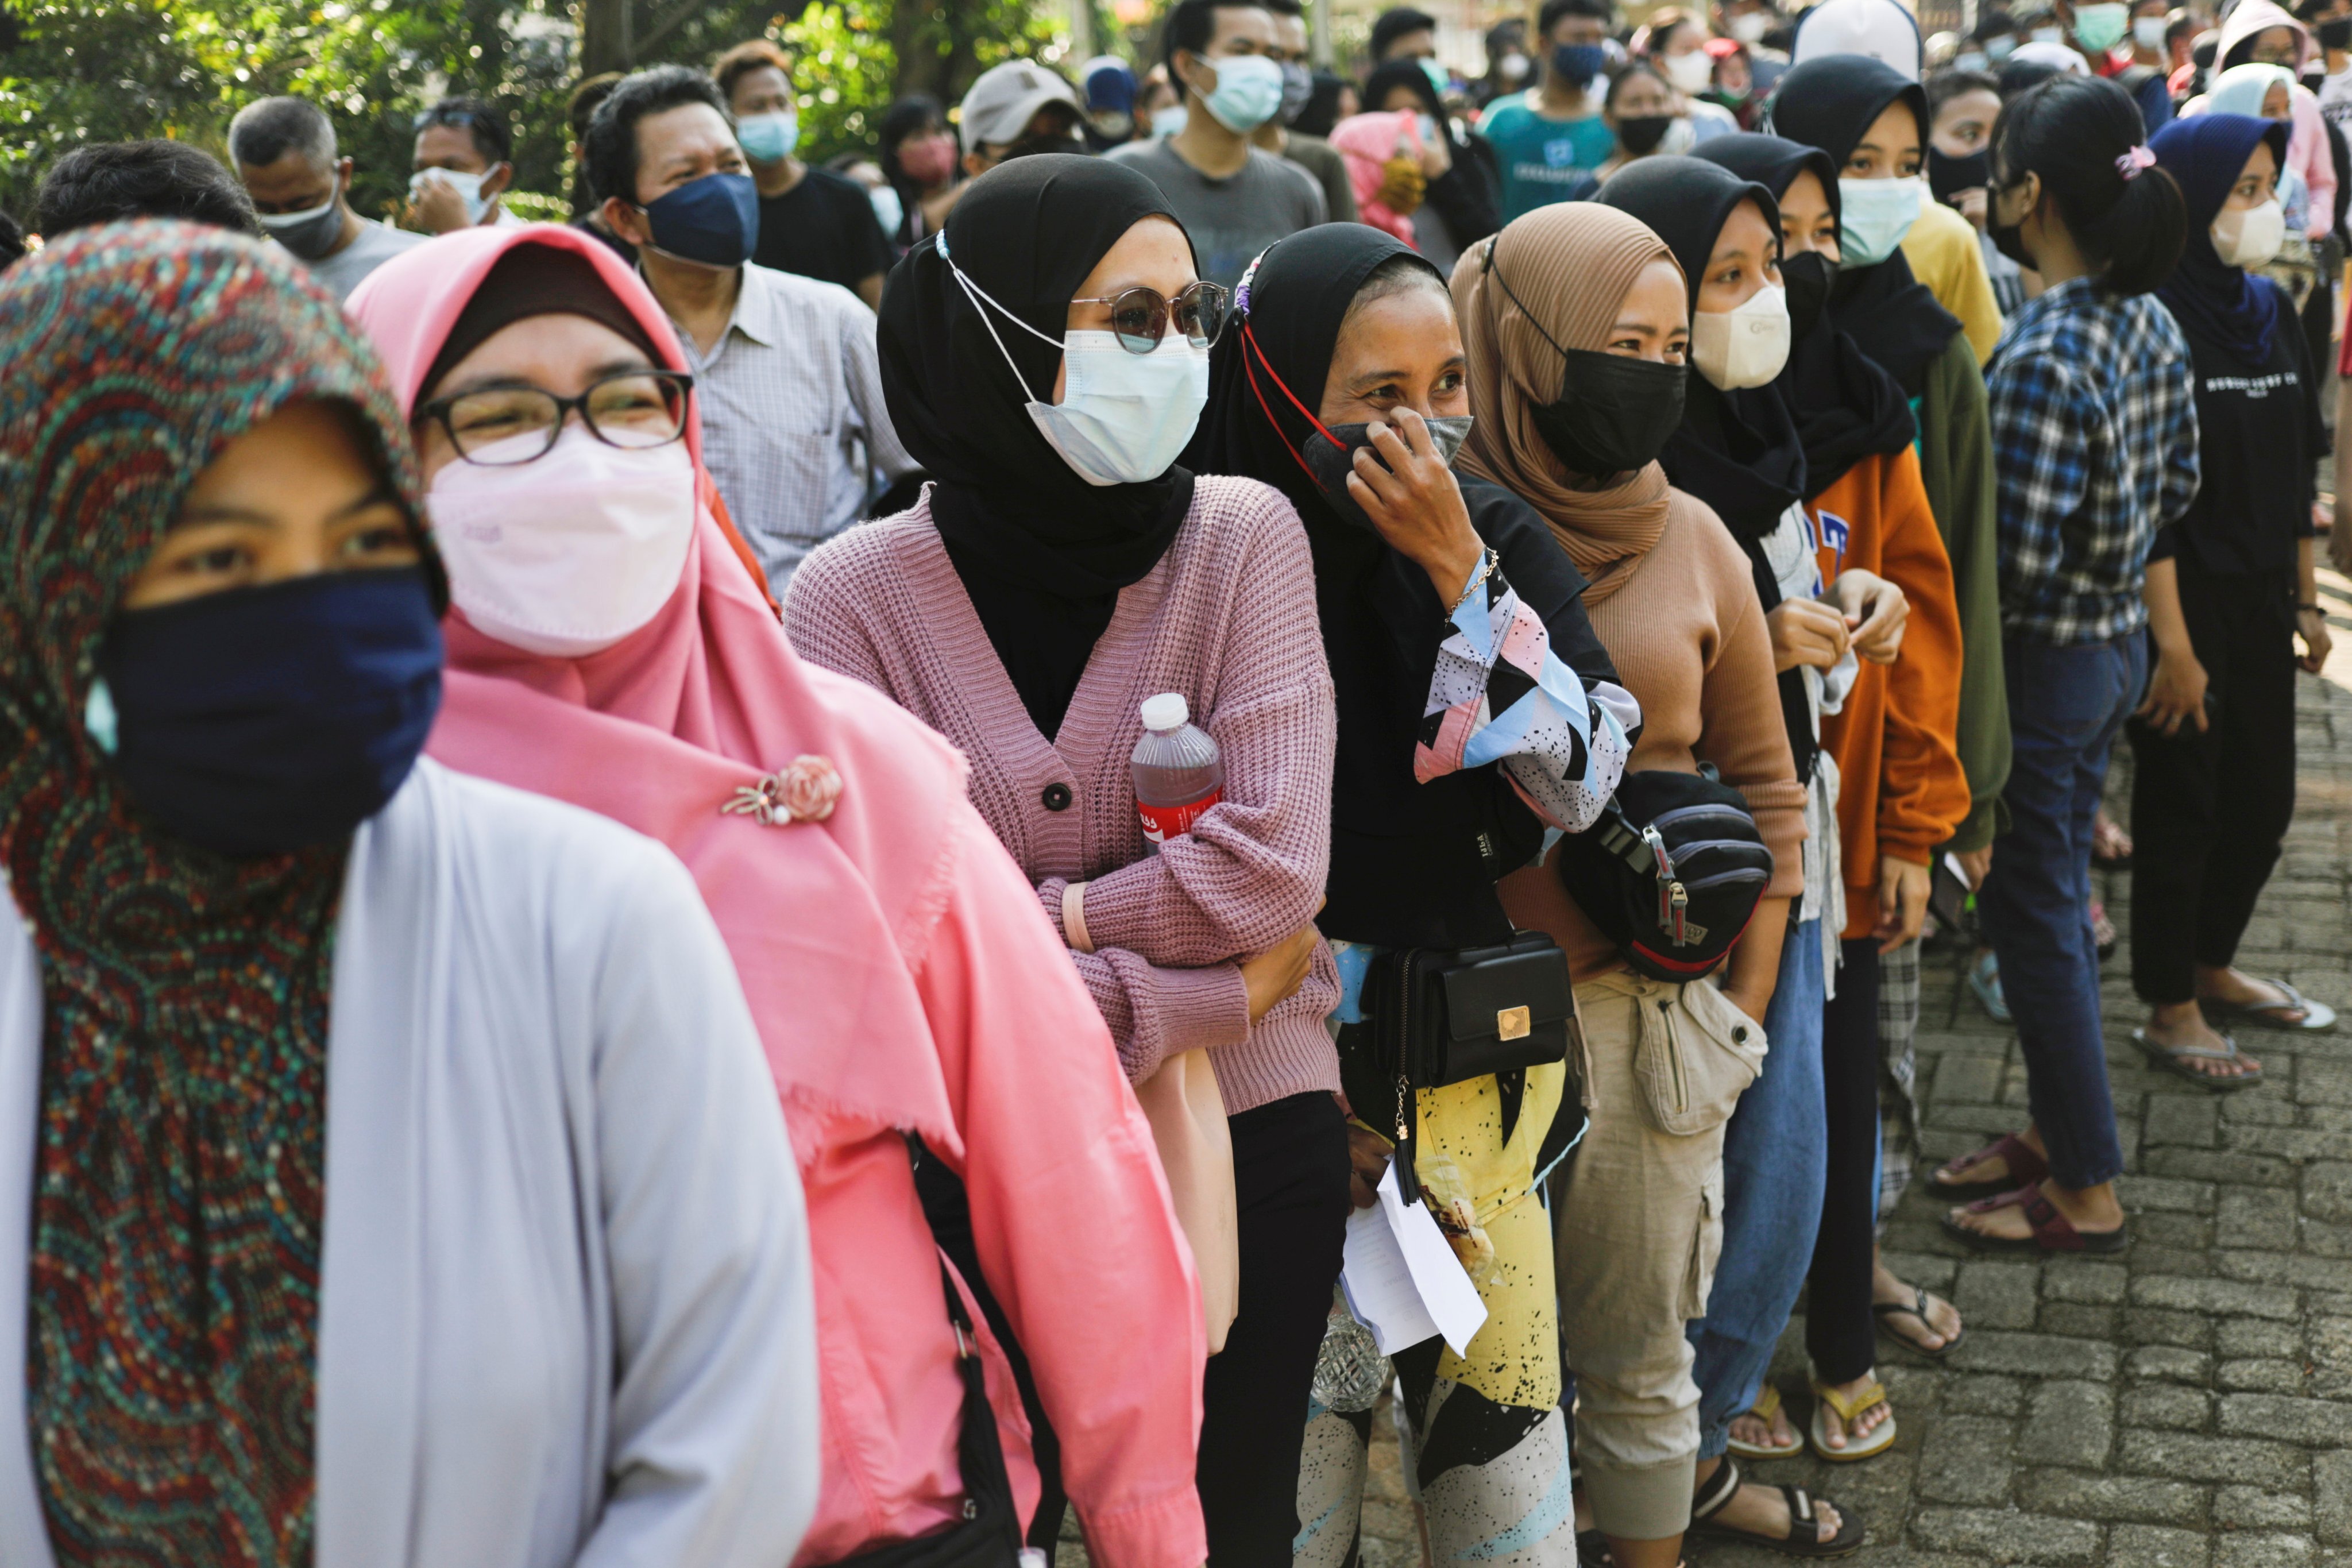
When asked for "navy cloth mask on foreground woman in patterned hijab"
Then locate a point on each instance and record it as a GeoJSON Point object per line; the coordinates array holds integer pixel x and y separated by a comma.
{"type": "Point", "coordinates": [274, 718]}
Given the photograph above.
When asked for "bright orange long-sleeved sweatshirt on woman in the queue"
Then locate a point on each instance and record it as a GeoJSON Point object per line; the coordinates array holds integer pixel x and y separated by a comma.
{"type": "Point", "coordinates": [1902, 789]}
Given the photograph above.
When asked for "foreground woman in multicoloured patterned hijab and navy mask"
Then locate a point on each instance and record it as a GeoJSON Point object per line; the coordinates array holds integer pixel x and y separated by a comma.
{"type": "Point", "coordinates": [410, 1188]}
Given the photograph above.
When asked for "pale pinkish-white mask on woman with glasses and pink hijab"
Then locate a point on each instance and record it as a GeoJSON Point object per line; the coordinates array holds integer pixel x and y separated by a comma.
{"type": "Point", "coordinates": [570, 554]}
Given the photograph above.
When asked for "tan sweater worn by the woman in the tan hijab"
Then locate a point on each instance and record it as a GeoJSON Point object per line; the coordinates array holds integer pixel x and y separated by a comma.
{"type": "Point", "coordinates": [1688, 638]}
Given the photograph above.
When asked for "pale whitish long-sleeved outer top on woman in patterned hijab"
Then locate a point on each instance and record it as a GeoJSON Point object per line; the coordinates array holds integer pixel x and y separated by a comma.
{"type": "Point", "coordinates": [566, 1289]}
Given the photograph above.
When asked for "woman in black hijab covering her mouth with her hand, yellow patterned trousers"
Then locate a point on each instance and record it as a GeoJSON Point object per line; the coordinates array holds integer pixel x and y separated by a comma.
{"type": "Point", "coordinates": [1344, 387]}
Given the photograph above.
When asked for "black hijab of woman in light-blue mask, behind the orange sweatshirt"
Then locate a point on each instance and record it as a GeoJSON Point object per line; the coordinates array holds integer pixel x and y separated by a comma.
{"type": "Point", "coordinates": [1831, 105]}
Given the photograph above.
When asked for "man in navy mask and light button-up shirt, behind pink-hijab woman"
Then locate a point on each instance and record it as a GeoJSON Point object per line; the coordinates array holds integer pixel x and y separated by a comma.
{"type": "Point", "coordinates": [784, 368]}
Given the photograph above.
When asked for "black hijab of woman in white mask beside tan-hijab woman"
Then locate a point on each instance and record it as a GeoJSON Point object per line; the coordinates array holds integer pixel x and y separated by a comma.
{"type": "Point", "coordinates": [1739, 453]}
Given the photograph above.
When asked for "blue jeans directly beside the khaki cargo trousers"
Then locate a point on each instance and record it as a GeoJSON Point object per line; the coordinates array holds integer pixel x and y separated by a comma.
{"type": "Point", "coordinates": [1777, 1155]}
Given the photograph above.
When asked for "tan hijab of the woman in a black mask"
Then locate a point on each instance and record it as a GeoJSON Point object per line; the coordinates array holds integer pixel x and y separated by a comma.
{"type": "Point", "coordinates": [1572, 264]}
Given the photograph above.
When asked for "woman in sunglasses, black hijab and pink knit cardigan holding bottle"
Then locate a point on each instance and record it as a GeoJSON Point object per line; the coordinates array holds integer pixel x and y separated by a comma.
{"type": "Point", "coordinates": [1048, 359]}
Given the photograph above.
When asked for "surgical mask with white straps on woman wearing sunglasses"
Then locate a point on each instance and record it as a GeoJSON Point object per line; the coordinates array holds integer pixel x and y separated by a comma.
{"type": "Point", "coordinates": [1123, 417]}
